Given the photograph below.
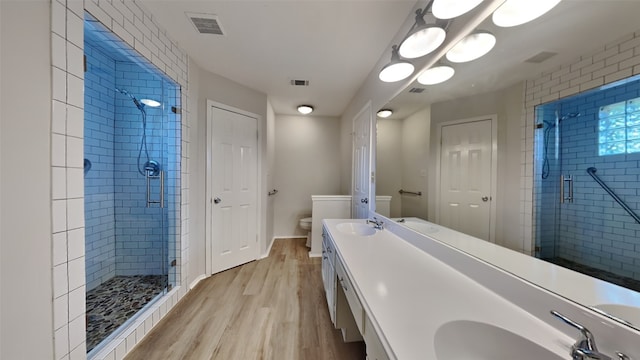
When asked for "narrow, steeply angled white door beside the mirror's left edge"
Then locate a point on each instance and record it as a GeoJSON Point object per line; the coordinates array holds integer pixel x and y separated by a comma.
{"type": "Point", "coordinates": [361, 150]}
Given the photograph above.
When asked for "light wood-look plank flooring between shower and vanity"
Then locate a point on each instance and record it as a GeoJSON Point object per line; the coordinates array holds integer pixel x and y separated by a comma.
{"type": "Point", "coordinates": [273, 308]}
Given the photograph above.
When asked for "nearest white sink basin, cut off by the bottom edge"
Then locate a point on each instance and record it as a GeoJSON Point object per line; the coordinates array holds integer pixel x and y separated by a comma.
{"type": "Point", "coordinates": [463, 340]}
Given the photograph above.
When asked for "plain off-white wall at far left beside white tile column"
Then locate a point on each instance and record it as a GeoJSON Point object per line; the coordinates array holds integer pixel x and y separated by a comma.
{"type": "Point", "coordinates": [26, 313]}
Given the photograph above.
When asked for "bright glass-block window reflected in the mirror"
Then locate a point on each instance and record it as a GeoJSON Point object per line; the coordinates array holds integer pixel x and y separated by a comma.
{"type": "Point", "coordinates": [619, 128]}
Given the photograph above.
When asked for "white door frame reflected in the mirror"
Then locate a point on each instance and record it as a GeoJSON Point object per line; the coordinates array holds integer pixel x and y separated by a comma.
{"type": "Point", "coordinates": [494, 167]}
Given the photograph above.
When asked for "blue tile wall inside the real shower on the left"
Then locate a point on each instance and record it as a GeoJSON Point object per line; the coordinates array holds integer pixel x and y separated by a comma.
{"type": "Point", "coordinates": [124, 237]}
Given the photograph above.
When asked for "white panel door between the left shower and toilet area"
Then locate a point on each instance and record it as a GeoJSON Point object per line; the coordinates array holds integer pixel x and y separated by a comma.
{"type": "Point", "coordinates": [233, 176]}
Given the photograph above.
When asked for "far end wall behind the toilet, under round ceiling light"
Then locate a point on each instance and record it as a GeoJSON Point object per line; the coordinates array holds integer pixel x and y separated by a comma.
{"type": "Point", "coordinates": [307, 149]}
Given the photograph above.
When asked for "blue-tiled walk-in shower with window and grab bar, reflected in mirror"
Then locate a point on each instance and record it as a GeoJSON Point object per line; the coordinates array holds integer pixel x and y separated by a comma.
{"type": "Point", "coordinates": [586, 188]}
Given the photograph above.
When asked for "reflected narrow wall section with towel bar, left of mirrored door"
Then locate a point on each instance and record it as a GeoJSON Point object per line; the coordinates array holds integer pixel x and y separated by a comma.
{"type": "Point", "coordinates": [415, 163]}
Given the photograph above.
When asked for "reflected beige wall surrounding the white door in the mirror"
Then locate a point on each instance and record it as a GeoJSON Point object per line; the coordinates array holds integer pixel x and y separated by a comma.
{"type": "Point", "coordinates": [508, 105]}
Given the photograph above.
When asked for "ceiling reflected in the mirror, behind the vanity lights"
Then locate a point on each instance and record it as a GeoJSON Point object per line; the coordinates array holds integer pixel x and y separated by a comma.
{"type": "Point", "coordinates": [572, 29]}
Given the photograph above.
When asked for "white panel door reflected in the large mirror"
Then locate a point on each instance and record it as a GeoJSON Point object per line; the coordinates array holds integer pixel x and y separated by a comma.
{"type": "Point", "coordinates": [465, 178]}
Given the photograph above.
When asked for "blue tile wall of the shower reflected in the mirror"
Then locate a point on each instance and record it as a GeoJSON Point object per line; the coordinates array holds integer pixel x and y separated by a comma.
{"type": "Point", "coordinates": [594, 229]}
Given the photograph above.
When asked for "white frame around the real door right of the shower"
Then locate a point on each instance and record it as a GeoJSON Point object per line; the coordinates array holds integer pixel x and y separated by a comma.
{"type": "Point", "coordinates": [209, 192]}
